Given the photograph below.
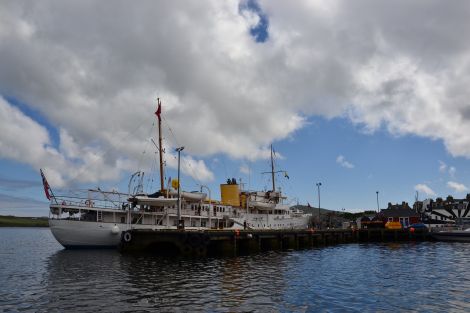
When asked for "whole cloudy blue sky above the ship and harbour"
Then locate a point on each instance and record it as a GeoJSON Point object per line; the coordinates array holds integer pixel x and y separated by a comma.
{"type": "Point", "coordinates": [362, 96]}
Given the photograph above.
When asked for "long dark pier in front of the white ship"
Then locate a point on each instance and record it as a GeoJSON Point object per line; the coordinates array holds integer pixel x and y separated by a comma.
{"type": "Point", "coordinates": [240, 242]}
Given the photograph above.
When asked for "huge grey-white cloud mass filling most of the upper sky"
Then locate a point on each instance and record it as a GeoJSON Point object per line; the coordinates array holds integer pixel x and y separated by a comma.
{"type": "Point", "coordinates": [94, 70]}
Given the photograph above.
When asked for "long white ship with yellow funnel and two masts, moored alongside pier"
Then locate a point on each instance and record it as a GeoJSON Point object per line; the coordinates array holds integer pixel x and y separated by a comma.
{"type": "Point", "coordinates": [97, 218]}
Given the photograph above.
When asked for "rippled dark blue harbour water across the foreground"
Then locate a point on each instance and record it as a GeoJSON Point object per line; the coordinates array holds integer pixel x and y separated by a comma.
{"type": "Point", "coordinates": [37, 275]}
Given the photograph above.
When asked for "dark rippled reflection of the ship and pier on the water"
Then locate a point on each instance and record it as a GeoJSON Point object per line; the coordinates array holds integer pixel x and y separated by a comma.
{"type": "Point", "coordinates": [83, 280]}
